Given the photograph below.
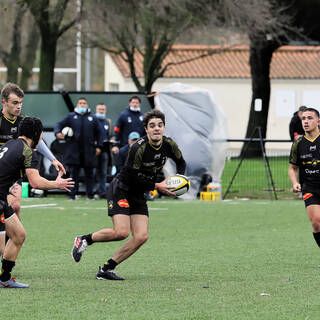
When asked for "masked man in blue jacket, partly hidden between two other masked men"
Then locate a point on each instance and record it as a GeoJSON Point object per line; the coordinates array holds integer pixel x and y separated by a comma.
{"type": "Point", "coordinates": [104, 156]}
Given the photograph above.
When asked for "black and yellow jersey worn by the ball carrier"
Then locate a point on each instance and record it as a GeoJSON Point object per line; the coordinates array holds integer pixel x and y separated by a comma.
{"type": "Point", "coordinates": [144, 162]}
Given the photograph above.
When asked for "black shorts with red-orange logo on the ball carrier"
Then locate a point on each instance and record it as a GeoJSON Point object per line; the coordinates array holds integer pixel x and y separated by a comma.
{"type": "Point", "coordinates": [121, 201]}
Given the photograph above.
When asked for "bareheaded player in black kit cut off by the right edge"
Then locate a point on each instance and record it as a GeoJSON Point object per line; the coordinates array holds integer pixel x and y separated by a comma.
{"type": "Point", "coordinates": [305, 161]}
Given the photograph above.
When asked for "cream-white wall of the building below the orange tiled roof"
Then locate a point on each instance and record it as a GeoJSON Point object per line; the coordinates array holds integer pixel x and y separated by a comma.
{"type": "Point", "coordinates": [234, 97]}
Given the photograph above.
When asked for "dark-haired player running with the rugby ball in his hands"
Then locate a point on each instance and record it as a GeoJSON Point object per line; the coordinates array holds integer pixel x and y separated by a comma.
{"type": "Point", "coordinates": [126, 203]}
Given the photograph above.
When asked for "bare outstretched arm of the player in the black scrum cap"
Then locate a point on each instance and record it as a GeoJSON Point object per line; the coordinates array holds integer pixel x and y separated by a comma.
{"type": "Point", "coordinates": [38, 182]}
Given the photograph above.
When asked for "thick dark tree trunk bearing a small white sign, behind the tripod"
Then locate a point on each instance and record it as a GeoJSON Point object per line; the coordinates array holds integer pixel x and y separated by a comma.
{"type": "Point", "coordinates": [260, 60]}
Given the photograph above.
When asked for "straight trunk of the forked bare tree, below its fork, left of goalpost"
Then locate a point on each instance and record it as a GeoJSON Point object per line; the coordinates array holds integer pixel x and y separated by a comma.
{"type": "Point", "coordinates": [47, 62]}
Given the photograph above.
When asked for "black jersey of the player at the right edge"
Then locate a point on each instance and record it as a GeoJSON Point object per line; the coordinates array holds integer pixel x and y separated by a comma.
{"type": "Point", "coordinates": [305, 154]}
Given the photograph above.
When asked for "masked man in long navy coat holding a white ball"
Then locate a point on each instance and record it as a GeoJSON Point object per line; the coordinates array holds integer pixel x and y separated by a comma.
{"type": "Point", "coordinates": [81, 151]}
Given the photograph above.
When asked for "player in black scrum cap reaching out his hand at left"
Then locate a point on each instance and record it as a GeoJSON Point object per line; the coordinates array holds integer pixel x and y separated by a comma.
{"type": "Point", "coordinates": [17, 158]}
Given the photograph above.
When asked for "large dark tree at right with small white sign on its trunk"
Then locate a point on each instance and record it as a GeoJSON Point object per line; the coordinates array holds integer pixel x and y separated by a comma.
{"type": "Point", "coordinates": [287, 24]}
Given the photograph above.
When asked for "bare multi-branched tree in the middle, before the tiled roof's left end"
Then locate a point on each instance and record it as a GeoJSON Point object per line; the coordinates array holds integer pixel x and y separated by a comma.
{"type": "Point", "coordinates": [148, 28]}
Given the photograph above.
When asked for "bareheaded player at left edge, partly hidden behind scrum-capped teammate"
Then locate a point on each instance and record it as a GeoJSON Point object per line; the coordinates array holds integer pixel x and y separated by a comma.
{"type": "Point", "coordinates": [10, 117]}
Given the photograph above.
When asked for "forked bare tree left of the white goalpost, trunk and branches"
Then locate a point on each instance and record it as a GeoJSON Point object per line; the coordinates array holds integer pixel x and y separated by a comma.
{"type": "Point", "coordinates": [49, 16]}
